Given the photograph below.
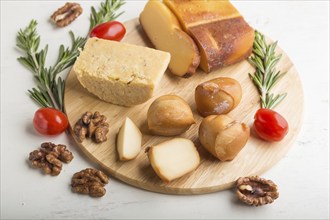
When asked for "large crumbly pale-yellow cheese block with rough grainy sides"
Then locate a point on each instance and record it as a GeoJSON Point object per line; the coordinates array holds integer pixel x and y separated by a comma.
{"type": "Point", "coordinates": [120, 73]}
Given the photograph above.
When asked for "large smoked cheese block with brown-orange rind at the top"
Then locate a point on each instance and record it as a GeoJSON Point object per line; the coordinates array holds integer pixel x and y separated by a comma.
{"type": "Point", "coordinates": [221, 33]}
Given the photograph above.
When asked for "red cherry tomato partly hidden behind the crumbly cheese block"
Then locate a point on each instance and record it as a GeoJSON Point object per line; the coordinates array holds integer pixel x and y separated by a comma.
{"type": "Point", "coordinates": [112, 30]}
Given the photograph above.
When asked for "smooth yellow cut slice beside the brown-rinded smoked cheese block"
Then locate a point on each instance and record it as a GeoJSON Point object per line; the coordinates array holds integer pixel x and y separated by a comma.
{"type": "Point", "coordinates": [164, 31]}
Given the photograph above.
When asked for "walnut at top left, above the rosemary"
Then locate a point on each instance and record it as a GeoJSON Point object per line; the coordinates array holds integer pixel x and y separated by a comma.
{"type": "Point", "coordinates": [66, 14]}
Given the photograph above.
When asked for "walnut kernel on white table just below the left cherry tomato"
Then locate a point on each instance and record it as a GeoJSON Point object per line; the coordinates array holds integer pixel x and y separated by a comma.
{"type": "Point", "coordinates": [49, 158]}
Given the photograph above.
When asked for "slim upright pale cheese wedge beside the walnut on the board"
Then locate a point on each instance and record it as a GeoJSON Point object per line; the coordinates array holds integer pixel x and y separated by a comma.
{"type": "Point", "coordinates": [129, 140]}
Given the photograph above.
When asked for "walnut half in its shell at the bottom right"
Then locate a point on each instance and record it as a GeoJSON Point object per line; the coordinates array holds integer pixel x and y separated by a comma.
{"type": "Point", "coordinates": [256, 191]}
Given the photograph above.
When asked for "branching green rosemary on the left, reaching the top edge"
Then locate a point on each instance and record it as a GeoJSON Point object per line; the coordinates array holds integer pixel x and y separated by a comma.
{"type": "Point", "coordinates": [49, 91]}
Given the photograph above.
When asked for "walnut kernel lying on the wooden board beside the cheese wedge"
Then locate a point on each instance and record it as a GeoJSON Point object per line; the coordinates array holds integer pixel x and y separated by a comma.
{"type": "Point", "coordinates": [92, 126]}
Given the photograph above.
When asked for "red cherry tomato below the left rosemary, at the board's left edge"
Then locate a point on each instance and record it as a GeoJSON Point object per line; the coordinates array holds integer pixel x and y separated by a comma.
{"type": "Point", "coordinates": [50, 121]}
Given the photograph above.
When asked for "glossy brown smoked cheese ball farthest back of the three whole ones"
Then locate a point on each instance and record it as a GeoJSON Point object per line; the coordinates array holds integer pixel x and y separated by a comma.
{"type": "Point", "coordinates": [217, 96]}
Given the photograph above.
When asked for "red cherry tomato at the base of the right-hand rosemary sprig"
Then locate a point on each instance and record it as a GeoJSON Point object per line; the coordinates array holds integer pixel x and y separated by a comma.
{"type": "Point", "coordinates": [270, 125]}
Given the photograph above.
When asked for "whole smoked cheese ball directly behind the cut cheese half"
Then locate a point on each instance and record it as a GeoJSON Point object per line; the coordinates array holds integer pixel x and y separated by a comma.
{"type": "Point", "coordinates": [169, 115]}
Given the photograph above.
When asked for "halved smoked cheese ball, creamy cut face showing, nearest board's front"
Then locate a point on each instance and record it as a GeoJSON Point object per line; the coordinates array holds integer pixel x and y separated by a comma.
{"type": "Point", "coordinates": [173, 158]}
